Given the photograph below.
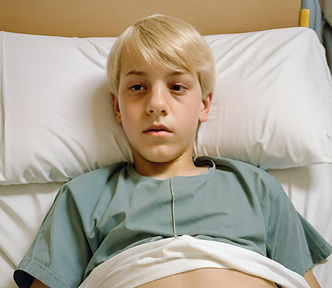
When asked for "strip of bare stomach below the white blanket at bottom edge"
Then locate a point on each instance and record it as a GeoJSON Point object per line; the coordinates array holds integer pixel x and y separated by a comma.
{"type": "Point", "coordinates": [210, 277]}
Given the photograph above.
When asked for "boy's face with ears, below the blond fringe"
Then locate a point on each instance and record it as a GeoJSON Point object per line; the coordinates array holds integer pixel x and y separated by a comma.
{"type": "Point", "coordinates": [159, 109]}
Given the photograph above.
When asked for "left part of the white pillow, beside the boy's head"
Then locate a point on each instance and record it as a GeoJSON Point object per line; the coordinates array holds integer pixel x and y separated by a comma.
{"type": "Point", "coordinates": [57, 119]}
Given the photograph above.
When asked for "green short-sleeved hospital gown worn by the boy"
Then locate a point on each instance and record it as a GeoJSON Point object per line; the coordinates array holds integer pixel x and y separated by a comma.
{"type": "Point", "coordinates": [107, 211]}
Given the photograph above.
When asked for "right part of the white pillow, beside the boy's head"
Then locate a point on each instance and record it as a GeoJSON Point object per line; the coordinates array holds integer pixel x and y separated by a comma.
{"type": "Point", "coordinates": [272, 105]}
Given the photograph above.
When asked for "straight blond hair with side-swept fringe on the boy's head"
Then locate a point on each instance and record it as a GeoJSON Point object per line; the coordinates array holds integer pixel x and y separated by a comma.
{"type": "Point", "coordinates": [168, 41]}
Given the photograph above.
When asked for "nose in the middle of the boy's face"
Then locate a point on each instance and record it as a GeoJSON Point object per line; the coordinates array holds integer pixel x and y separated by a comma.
{"type": "Point", "coordinates": [157, 101]}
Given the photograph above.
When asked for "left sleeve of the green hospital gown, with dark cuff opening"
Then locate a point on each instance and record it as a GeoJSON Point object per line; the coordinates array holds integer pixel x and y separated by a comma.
{"type": "Point", "coordinates": [60, 251]}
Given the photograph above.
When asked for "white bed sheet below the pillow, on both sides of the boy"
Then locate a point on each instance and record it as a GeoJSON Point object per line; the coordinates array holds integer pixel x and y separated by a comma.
{"type": "Point", "coordinates": [23, 207]}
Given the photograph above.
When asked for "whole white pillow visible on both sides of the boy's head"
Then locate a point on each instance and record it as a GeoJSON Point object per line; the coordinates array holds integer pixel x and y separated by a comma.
{"type": "Point", "coordinates": [272, 106]}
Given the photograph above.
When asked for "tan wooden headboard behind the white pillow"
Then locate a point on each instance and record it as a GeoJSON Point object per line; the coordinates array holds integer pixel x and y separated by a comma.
{"type": "Point", "coordinates": [88, 18]}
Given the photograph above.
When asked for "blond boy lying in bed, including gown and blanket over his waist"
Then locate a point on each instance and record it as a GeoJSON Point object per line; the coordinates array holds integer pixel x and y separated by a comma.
{"type": "Point", "coordinates": [113, 227]}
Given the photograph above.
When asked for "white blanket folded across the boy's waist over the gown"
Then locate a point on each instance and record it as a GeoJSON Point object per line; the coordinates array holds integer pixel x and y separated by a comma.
{"type": "Point", "coordinates": [155, 260]}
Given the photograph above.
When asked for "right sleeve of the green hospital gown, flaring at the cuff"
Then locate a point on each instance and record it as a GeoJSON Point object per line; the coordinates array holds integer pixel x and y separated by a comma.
{"type": "Point", "coordinates": [291, 240]}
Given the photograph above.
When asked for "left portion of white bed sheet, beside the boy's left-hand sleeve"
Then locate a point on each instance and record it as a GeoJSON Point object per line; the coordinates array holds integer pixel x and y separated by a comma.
{"type": "Point", "coordinates": [22, 209]}
